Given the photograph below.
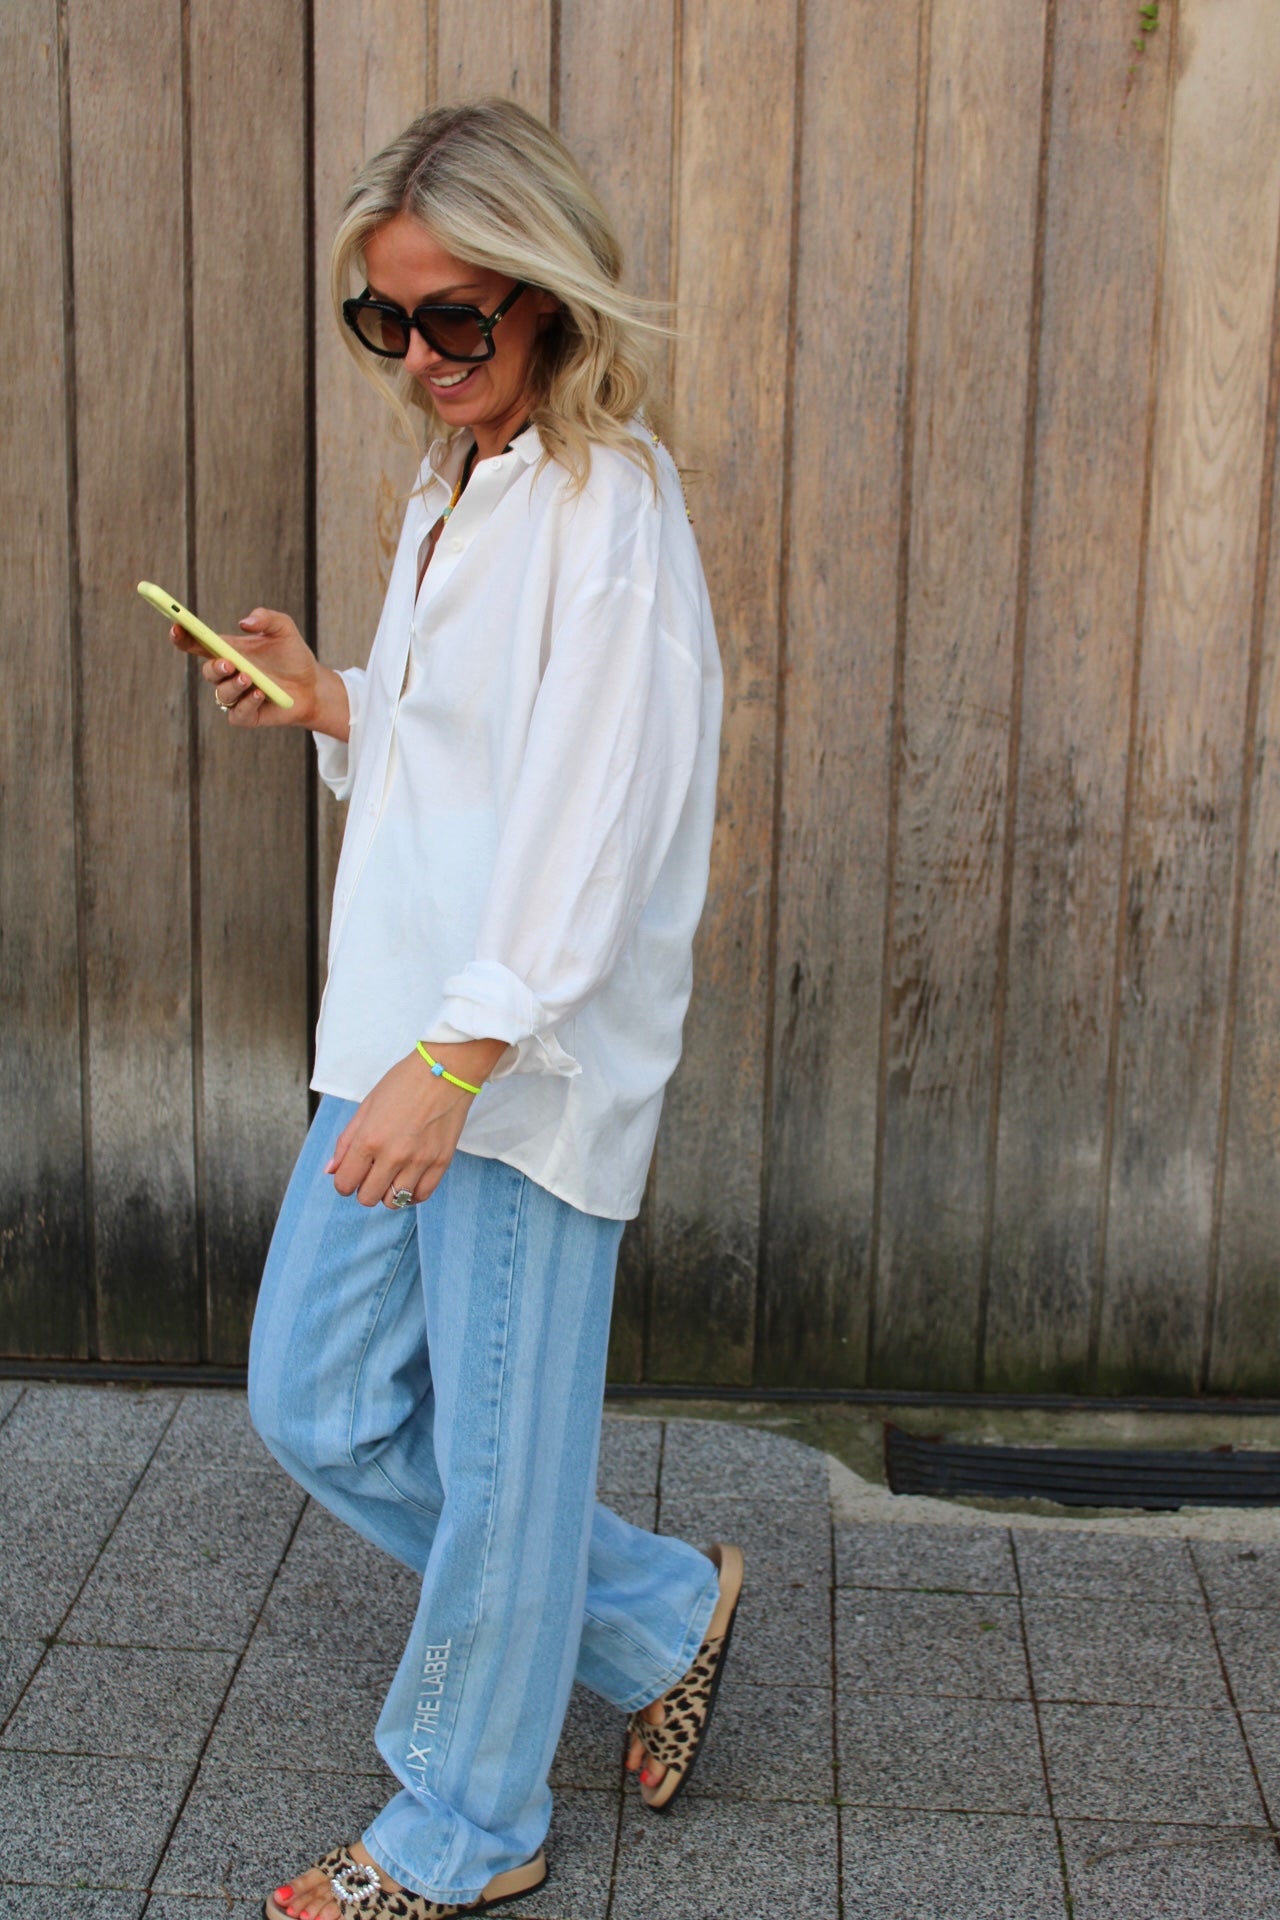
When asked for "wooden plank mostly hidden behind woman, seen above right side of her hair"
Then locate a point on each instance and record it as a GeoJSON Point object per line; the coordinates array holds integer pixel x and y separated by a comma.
{"type": "Point", "coordinates": [617, 103]}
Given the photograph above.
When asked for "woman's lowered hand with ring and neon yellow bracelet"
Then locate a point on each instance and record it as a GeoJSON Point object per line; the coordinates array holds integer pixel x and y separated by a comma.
{"type": "Point", "coordinates": [404, 1132]}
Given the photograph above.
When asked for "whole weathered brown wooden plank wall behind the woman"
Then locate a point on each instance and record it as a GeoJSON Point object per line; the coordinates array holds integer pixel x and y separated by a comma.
{"type": "Point", "coordinates": [976, 385]}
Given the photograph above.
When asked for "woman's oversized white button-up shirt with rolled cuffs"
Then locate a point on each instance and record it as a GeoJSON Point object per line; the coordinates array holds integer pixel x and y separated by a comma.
{"type": "Point", "coordinates": [533, 788]}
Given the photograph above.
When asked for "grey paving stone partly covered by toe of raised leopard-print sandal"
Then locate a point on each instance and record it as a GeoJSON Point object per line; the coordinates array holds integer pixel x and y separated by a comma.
{"type": "Point", "coordinates": [769, 1744]}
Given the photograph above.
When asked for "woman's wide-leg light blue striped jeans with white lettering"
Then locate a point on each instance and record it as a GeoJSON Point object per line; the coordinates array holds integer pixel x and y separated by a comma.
{"type": "Point", "coordinates": [437, 1378]}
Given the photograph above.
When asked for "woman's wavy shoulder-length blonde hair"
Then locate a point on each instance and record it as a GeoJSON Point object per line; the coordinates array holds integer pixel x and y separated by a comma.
{"type": "Point", "coordinates": [500, 189]}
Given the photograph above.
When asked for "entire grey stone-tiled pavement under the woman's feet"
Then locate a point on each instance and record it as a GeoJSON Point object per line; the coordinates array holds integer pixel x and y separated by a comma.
{"type": "Point", "coordinates": [932, 1714]}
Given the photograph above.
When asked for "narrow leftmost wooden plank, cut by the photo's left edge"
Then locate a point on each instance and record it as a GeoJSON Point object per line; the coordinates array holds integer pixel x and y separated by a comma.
{"type": "Point", "coordinates": [43, 1249]}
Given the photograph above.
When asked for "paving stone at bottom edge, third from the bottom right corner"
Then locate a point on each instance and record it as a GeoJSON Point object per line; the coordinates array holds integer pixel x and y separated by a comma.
{"type": "Point", "coordinates": [715, 1860]}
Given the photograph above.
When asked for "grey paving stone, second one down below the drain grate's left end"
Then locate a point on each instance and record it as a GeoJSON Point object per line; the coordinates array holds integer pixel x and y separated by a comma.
{"type": "Point", "coordinates": [962, 1644]}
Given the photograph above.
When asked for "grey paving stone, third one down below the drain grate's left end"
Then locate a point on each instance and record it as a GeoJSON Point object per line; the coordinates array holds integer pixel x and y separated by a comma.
{"type": "Point", "coordinates": [962, 1756]}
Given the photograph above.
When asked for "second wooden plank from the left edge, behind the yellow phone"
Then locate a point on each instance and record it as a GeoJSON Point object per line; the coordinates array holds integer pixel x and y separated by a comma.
{"type": "Point", "coordinates": [131, 458]}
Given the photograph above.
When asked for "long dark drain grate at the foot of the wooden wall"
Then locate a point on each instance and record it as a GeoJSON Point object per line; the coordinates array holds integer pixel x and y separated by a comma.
{"type": "Point", "coordinates": [1081, 1477]}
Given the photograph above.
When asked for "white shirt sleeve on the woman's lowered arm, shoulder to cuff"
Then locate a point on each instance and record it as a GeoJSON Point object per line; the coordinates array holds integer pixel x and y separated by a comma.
{"type": "Point", "coordinates": [596, 807]}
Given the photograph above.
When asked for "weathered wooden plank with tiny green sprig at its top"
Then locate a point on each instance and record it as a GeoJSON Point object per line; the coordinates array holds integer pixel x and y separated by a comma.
{"type": "Point", "coordinates": [1102, 247]}
